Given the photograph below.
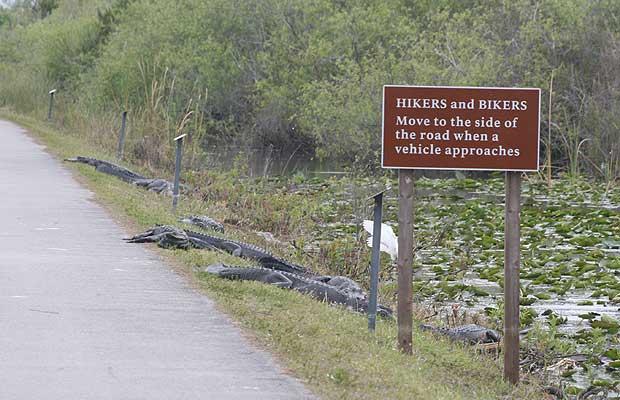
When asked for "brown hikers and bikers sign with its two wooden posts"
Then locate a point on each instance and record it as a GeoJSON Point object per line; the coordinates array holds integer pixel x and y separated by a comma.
{"type": "Point", "coordinates": [461, 128]}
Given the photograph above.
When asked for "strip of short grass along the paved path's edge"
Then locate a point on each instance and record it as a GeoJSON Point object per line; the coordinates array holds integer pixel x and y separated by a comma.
{"type": "Point", "coordinates": [326, 347]}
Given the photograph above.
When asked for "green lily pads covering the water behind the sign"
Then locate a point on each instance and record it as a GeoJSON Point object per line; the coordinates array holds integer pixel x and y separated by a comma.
{"type": "Point", "coordinates": [570, 255]}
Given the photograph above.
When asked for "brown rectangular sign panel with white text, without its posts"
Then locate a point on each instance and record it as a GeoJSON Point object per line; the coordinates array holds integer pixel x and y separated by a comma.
{"type": "Point", "coordinates": [460, 128]}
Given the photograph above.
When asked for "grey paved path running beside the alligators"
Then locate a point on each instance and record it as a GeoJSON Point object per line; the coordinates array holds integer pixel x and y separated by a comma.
{"type": "Point", "coordinates": [85, 316]}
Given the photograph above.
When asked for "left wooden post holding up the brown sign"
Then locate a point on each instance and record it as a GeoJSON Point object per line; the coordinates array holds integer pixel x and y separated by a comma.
{"type": "Point", "coordinates": [405, 259]}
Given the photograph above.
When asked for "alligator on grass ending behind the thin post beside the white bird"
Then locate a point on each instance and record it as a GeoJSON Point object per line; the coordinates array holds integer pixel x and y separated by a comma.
{"type": "Point", "coordinates": [303, 284]}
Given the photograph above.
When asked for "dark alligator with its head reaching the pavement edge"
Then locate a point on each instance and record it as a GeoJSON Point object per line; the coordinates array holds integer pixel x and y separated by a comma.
{"type": "Point", "coordinates": [205, 241]}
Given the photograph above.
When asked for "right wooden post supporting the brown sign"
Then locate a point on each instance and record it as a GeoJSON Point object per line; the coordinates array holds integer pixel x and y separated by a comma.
{"type": "Point", "coordinates": [511, 276]}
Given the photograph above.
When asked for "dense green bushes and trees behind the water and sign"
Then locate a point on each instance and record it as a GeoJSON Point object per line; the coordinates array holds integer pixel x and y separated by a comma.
{"type": "Point", "coordinates": [306, 75]}
